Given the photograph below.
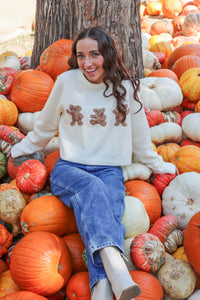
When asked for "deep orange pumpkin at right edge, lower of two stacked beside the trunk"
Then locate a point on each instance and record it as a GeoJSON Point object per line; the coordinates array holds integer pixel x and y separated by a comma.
{"type": "Point", "coordinates": [184, 63]}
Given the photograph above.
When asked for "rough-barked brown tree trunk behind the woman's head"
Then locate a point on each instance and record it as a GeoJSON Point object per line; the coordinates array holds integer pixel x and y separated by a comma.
{"type": "Point", "coordinates": [66, 18]}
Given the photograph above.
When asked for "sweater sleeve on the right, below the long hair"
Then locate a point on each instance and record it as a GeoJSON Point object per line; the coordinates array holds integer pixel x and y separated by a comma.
{"type": "Point", "coordinates": [142, 145]}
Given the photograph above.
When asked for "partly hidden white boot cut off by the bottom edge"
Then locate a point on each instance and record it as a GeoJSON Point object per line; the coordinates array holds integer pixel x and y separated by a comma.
{"type": "Point", "coordinates": [102, 290]}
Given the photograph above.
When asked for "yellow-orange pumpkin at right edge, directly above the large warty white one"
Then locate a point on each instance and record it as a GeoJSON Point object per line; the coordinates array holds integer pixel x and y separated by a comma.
{"type": "Point", "coordinates": [187, 159]}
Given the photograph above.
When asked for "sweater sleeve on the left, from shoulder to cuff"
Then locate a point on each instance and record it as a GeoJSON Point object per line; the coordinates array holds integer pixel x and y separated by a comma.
{"type": "Point", "coordinates": [45, 127]}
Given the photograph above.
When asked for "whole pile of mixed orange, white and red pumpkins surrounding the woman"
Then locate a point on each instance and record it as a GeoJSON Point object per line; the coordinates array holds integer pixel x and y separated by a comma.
{"type": "Point", "coordinates": [42, 255]}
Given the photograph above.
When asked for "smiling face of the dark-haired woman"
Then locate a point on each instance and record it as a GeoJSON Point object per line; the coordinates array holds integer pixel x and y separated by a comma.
{"type": "Point", "coordinates": [90, 60]}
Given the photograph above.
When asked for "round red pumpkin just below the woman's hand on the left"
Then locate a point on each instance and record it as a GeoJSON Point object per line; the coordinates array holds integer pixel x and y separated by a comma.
{"type": "Point", "coordinates": [31, 176]}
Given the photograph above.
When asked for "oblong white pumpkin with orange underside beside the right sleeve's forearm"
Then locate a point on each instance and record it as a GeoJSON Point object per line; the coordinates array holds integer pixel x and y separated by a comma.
{"type": "Point", "coordinates": [166, 132]}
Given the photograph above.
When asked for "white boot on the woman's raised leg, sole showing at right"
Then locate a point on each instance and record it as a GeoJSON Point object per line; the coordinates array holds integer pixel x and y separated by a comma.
{"type": "Point", "coordinates": [118, 274]}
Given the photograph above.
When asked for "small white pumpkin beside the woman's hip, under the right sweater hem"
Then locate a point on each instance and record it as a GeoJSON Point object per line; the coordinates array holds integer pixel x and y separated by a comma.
{"type": "Point", "coordinates": [136, 170]}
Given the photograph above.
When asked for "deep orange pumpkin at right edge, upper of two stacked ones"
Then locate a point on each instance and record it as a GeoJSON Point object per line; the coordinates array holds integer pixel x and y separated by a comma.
{"type": "Point", "coordinates": [187, 49]}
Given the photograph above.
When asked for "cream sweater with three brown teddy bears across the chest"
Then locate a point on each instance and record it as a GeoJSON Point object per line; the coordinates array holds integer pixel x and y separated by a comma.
{"type": "Point", "coordinates": [90, 128]}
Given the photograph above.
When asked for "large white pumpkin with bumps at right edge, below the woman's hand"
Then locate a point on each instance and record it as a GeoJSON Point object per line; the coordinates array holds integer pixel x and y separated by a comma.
{"type": "Point", "coordinates": [181, 197]}
